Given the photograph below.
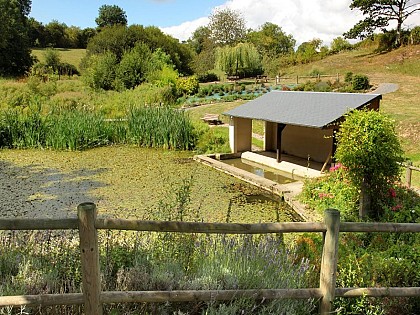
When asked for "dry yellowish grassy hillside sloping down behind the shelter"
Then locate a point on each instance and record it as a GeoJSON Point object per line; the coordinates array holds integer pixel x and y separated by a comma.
{"type": "Point", "coordinates": [401, 66]}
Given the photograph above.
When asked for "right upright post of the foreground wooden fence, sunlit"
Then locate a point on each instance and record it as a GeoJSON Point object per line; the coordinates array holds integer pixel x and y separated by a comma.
{"type": "Point", "coordinates": [328, 272]}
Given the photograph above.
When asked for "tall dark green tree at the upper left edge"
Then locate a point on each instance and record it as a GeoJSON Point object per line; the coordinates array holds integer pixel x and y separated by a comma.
{"type": "Point", "coordinates": [15, 53]}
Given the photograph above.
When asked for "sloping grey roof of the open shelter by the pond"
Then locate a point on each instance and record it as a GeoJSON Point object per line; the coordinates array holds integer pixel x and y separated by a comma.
{"type": "Point", "coordinates": [311, 109]}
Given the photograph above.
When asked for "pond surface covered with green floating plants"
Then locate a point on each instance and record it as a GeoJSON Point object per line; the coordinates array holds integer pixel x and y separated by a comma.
{"type": "Point", "coordinates": [128, 182]}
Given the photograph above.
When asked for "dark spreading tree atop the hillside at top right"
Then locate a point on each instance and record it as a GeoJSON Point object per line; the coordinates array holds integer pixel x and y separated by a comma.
{"type": "Point", "coordinates": [379, 13]}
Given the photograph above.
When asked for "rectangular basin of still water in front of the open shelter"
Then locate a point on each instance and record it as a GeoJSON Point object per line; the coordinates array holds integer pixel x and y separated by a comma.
{"type": "Point", "coordinates": [271, 174]}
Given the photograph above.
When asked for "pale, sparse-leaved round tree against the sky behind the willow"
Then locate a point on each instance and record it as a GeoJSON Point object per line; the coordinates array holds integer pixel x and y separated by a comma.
{"type": "Point", "coordinates": [227, 27]}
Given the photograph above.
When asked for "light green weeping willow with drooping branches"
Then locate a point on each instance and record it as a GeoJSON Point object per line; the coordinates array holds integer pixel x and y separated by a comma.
{"type": "Point", "coordinates": [239, 60]}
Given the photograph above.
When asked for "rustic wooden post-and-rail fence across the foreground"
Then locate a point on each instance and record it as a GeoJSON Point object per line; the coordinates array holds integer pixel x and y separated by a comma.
{"type": "Point", "coordinates": [87, 223]}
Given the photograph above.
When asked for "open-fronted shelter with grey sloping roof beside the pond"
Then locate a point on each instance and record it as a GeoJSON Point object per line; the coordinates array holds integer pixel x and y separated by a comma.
{"type": "Point", "coordinates": [299, 124]}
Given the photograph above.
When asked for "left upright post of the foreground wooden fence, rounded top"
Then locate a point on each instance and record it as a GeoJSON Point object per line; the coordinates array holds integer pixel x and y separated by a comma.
{"type": "Point", "coordinates": [89, 252]}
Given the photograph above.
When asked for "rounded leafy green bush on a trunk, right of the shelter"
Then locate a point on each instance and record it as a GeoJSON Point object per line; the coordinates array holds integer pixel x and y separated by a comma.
{"type": "Point", "coordinates": [369, 147]}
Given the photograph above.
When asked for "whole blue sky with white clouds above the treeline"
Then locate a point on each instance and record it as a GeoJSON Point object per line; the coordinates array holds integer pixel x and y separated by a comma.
{"type": "Point", "coordinates": [304, 19]}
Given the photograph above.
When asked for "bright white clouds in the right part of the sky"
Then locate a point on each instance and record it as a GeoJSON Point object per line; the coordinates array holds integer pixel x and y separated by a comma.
{"type": "Point", "coordinates": [304, 19]}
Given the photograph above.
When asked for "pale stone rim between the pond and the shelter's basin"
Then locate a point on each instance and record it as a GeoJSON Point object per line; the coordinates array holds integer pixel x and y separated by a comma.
{"type": "Point", "coordinates": [287, 192]}
